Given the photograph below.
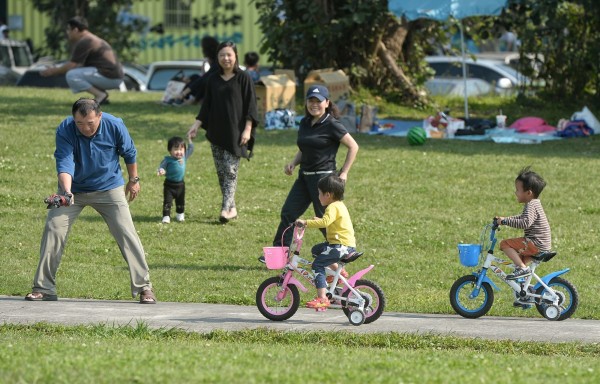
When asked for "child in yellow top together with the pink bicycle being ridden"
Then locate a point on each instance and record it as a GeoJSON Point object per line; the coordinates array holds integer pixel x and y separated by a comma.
{"type": "Point", "coordinates": [278, 298]}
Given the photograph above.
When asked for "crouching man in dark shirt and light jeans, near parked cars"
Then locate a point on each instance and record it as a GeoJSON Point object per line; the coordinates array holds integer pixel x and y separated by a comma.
{"type": "Point", "coordinates": [93, 66]}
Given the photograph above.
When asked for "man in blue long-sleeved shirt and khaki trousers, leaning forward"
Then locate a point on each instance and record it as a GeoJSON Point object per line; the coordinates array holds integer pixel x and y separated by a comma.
{"type": "Point", "coordinates": [88, 147]}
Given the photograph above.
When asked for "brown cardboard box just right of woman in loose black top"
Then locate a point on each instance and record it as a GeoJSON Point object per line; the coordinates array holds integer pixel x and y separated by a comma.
{"type": "Point", "coordinates": [274, 92]}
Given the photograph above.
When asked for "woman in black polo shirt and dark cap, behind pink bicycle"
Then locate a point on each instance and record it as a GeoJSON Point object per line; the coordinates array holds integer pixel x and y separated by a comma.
{"type": "Point", "coordinates": [319, 138]}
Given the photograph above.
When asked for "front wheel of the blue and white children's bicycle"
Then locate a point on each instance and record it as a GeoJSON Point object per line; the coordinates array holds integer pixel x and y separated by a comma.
{"type": "Point", "coordinates": [465, 306]}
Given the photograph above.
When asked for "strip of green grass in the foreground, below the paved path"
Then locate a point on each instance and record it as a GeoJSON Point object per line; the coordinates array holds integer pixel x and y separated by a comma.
{"type": "Point", "coordinates": [102, 354]}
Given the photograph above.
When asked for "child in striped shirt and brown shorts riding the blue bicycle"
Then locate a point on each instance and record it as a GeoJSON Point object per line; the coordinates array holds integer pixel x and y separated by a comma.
{"type": "Point", "coordinates": [528, 187]}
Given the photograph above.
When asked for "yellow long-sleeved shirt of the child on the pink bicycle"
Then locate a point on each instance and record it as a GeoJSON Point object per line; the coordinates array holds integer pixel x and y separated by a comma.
{"type": "Point", "coordinates": [338, 224]}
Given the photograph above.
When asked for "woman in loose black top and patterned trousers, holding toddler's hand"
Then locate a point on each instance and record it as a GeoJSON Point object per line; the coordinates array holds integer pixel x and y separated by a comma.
{"type": "Point", "coordinates": [229, 115]}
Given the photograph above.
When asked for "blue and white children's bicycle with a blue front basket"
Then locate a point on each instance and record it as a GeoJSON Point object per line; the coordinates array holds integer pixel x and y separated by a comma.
{"type": "Point", "coordinates": [472, 296]}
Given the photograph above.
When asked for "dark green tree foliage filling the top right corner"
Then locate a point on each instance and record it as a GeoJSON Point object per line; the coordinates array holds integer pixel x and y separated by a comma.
{"type": "Point", "coordinates": [562, 41]}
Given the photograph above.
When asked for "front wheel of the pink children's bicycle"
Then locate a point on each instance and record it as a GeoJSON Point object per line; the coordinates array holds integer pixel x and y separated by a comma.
{"type": "Point", "coordinates": [271, 308]}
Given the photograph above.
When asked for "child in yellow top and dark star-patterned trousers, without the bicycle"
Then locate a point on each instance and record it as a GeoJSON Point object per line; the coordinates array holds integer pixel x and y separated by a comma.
{"type": "Point", "coordinates": [340, 235]}
